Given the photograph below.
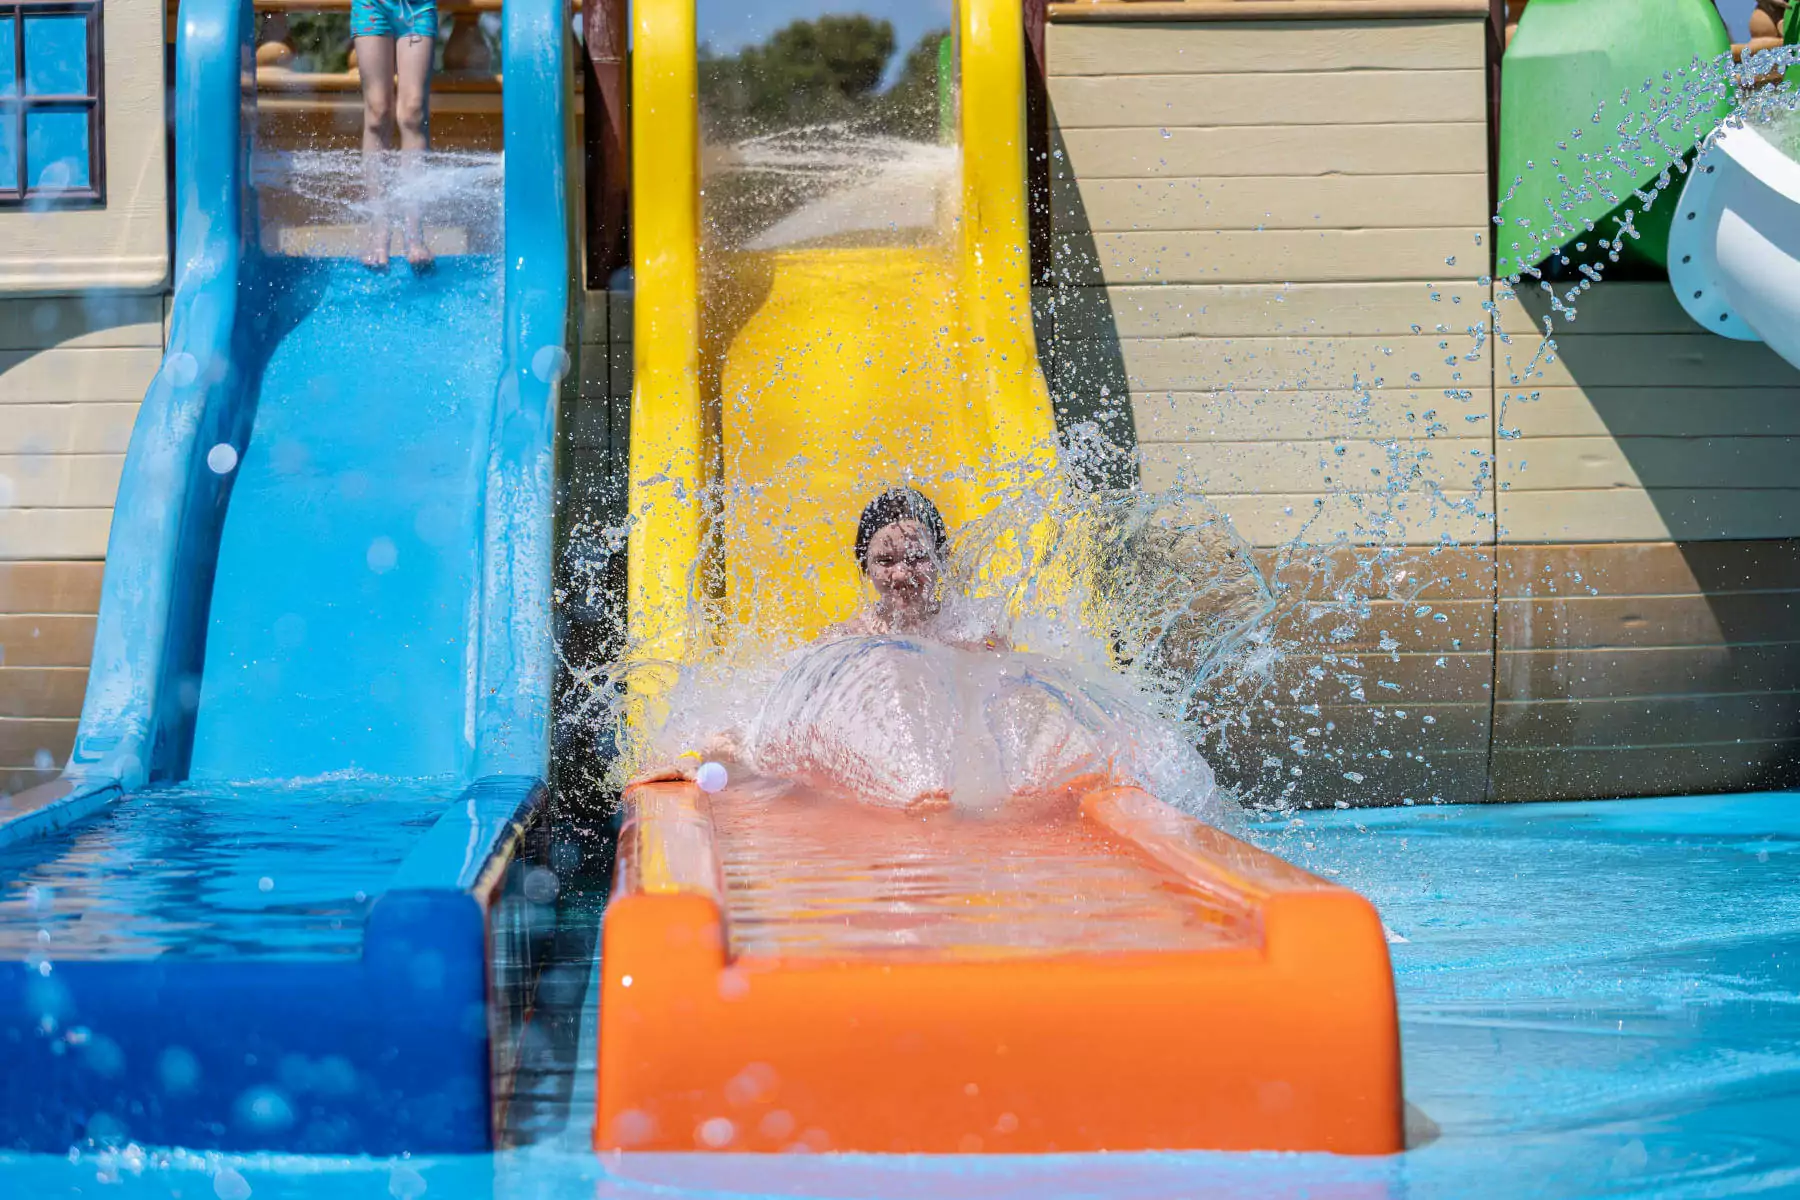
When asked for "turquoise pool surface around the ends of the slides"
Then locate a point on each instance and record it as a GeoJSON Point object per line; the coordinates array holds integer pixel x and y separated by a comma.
{"type": "Point", "coordinates": [1597, 999]}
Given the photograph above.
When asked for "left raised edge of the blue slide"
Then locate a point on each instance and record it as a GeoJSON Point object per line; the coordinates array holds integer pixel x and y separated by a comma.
{"type": "Point", "coordinates": [166, 517]}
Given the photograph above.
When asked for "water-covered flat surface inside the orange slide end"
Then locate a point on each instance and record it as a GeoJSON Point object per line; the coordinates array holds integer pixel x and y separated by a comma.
{"type": "Point", "coordinates": [811, 877]}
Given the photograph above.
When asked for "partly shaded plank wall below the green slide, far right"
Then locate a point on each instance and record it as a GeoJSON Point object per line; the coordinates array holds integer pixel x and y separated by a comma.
{"type": "Point", "coordinates": [1650, 553]}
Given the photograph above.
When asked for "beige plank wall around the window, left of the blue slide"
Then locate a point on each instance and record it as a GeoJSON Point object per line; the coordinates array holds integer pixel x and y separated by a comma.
{"type": "Point", "coordinates": [82, 334]}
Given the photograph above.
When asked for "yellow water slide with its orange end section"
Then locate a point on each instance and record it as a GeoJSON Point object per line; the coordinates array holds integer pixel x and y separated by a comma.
{"type": "Point", "coordinates": [784, 971]}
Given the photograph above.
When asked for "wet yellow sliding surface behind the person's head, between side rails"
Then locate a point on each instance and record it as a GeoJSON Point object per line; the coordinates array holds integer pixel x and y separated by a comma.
{"type": "Point", "coordinates": [840, 382]}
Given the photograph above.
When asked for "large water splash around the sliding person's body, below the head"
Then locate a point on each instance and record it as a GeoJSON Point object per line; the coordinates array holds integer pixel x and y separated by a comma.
{"type": "Point", "coordinates": [1077, 636]}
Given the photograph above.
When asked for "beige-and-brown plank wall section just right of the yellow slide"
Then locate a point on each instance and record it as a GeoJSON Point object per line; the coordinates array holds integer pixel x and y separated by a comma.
{"type": "Point", "coordinates": [1268, 238]}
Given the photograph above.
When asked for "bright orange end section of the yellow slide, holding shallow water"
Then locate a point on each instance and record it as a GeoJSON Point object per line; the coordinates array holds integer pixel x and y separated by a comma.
{"type": "Point", "coordinates": [766, 989]}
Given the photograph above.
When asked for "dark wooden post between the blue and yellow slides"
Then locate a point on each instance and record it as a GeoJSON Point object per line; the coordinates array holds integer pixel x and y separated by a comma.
{"type": "Point", "coordinates": [607, 143]}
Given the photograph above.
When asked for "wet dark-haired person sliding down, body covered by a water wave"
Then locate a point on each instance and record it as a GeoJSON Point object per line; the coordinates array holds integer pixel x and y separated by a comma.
{"type": "Point", "coordinates": [899, 708]}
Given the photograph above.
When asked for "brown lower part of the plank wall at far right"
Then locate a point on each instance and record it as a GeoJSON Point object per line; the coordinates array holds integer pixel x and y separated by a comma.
{"type": "Point", "coordinates": [1642, 670]}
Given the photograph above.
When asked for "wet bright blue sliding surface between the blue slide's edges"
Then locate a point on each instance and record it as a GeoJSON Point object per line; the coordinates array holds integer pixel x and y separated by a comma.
{"type": "Point", "coordinates": [350, 559]}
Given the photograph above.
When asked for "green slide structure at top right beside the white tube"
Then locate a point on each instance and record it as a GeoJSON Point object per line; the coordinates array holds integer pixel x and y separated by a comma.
{"type": "Point", "coordinates": [1581, 136]}
